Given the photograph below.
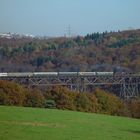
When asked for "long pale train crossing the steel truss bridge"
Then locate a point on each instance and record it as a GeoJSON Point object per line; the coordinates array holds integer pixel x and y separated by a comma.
{"type": "Point", "coordinates": [46, 74]}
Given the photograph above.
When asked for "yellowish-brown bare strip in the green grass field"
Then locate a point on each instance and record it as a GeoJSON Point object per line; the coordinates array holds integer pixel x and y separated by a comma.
{"type": "Point", "coordinates": [36, 124]}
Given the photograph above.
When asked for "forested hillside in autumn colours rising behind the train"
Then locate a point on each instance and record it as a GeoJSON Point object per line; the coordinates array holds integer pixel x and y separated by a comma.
{"type": "Point", "coordinates": [93, 52]}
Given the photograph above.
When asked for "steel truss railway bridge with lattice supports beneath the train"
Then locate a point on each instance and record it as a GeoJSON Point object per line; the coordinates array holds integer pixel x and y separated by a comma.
{"type": "Point", "coordinates": [126, 86]}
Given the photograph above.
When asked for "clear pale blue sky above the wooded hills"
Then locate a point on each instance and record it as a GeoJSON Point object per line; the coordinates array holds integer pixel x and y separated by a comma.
{"type": "Point", "coordinates": [54, 17]}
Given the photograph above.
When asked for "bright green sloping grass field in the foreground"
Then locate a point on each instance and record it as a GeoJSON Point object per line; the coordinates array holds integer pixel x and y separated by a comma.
{"type": "Point", "coordinates": [18, 123]}
